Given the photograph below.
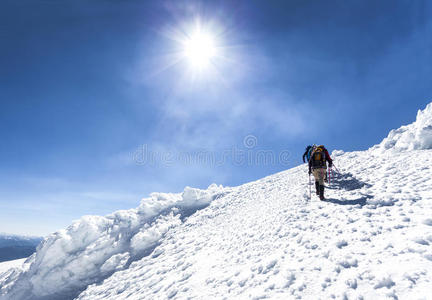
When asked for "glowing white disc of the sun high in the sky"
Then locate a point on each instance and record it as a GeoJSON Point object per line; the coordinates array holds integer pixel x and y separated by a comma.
{"type": "Point", "coordinates": [199, 49]}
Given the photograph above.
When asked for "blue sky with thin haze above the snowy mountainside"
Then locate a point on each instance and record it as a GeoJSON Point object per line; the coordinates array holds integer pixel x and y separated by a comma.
{"type": "Point", "coordinates": [85, 86]}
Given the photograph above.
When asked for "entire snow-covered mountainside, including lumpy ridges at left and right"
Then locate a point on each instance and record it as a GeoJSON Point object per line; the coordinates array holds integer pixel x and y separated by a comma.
{"type": "Point", "coordinates": [372, 237]}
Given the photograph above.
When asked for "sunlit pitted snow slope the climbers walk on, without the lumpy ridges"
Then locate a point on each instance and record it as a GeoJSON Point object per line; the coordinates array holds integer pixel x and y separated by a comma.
{"type": "Point", "coordinates": [372, 238]}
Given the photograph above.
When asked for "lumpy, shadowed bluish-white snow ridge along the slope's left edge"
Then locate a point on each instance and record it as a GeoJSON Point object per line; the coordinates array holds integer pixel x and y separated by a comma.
{"type": "Point", "coordinates": [94, 247]}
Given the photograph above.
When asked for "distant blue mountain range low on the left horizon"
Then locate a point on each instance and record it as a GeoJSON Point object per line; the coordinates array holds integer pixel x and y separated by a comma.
{"type": "Point", "coordinates": [15, 246]}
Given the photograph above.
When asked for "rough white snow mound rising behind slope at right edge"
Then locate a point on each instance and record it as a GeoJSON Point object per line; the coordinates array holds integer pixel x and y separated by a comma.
{"type": "Point", "coordinates": [415, 136]}
